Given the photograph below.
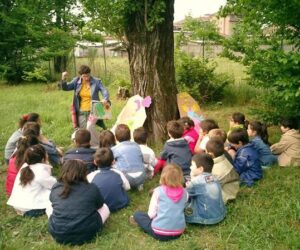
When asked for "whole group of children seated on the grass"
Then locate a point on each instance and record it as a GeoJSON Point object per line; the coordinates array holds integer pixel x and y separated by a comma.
{"type": "Point", "coordinates": [201, 172]}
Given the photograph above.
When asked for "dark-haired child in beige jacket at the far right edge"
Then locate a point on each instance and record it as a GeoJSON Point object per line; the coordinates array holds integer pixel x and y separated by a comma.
{"type": "Point", "coordinates": [288, 148]}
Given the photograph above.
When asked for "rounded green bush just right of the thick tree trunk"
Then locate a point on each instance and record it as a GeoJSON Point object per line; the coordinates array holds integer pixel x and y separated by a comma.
{"type": "Point", "coordinates": [197, 77]}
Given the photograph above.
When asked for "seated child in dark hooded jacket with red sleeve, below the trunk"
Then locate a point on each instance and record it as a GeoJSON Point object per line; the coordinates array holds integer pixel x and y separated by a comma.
{"type": "Point", "coordinates": [176, 150]}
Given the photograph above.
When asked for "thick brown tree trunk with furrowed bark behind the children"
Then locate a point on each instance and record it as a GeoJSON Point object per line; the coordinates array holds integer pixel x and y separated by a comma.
{"type": "Point", "coordinates": [151, 62]}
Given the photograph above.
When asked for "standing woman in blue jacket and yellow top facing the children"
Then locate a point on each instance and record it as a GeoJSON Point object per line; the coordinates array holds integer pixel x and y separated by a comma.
{"type": "Point", "coordinates": [86, 89]}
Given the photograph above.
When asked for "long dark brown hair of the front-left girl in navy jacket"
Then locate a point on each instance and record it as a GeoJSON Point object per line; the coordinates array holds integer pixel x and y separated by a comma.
{"type": "Point", "coordinates": [72, 172]}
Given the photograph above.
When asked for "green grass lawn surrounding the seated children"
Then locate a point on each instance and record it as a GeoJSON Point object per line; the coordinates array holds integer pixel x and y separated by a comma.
{"type": "Point", "coordinates": [266, 216]}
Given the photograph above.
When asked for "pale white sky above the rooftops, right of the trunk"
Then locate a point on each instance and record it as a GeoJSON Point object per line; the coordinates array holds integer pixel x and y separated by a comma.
{"type": "Point", "coordinates": [196, 8]}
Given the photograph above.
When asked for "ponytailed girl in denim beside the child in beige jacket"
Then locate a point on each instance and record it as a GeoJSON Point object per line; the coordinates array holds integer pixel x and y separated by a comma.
{"type": "Point", "coordinates": [259, 138]}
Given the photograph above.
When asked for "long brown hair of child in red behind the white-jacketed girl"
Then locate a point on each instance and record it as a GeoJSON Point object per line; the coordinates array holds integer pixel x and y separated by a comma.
{"type": "Point", "coordinates": [24, 142]}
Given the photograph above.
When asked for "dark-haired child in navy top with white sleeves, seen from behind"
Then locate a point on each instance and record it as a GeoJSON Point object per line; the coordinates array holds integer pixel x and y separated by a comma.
{"type": "Point", "coordinates": [111, 182]}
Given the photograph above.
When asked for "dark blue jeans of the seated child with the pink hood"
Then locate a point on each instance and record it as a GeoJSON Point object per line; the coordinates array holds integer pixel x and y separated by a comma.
{"type": "Point", "coordinates": [144, 221]}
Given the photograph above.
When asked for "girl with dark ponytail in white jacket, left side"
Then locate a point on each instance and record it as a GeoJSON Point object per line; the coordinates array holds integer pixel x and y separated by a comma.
{"type": "Point", "coordinates": [30, 194]}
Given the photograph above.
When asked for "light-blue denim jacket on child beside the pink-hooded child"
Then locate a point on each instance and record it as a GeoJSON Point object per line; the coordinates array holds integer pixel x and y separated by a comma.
{"type": "Point", "coordinates": [205, 204]}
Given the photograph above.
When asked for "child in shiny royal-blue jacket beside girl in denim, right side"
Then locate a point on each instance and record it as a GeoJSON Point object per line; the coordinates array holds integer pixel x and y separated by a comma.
{"type": "Point", "coordinates": [246, 160]}
